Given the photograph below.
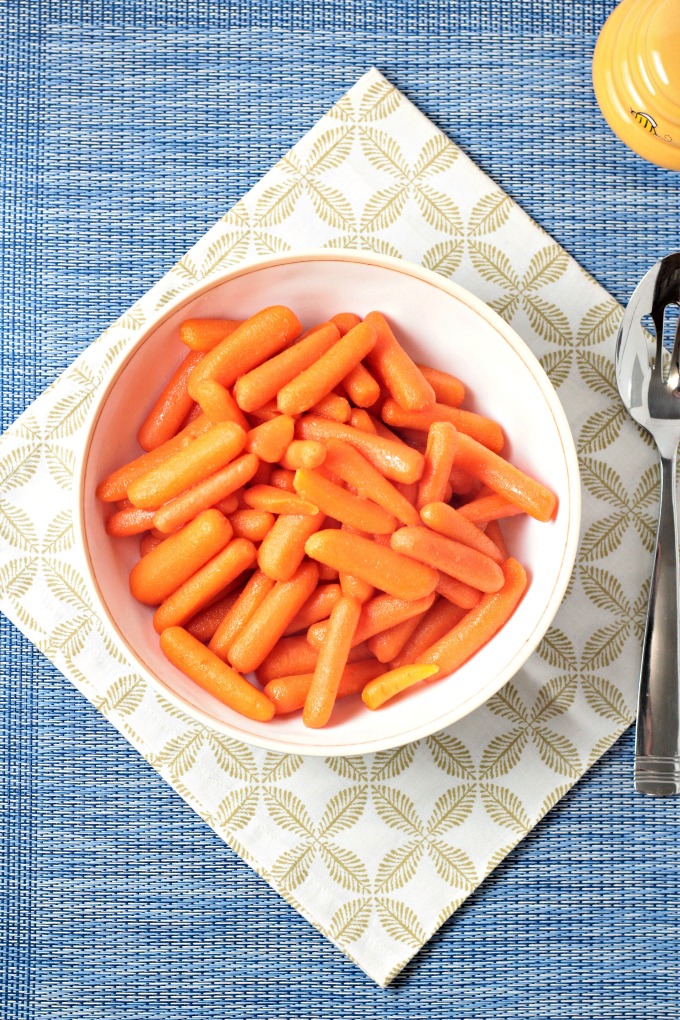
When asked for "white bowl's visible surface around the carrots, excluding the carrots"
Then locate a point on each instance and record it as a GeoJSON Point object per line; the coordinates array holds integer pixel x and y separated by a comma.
{"type": "Point", "coordinates": [441, 325]}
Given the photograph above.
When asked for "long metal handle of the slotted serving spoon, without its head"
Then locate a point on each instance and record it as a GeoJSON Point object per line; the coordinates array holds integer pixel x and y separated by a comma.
{"type": "Point", "coordinates": [658, 736]}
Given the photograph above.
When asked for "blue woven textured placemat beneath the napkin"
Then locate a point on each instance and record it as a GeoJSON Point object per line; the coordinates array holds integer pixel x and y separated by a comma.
{"type": "Point", "coordinates": [128, 129]}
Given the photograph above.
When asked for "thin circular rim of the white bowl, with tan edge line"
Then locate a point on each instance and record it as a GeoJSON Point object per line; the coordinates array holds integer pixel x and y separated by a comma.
{"type": "Point", "coordinates": [342, 748]}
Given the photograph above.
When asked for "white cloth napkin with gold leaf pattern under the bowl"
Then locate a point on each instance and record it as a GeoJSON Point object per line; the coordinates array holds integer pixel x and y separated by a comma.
{"type": "Point", "coordinates": [377, 852]}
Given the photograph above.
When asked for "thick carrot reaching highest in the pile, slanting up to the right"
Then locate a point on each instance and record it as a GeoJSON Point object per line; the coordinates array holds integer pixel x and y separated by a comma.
{"type": "Point", "coordinates": [250, 344]}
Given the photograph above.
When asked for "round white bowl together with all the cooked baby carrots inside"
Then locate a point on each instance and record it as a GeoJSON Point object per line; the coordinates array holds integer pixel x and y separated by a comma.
{"type": "Point", "coordinates": [330, 503]}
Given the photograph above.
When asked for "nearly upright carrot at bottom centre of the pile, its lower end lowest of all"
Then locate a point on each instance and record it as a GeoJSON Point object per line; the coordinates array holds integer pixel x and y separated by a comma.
{"type": "Point", "coordinates": [332, 662]}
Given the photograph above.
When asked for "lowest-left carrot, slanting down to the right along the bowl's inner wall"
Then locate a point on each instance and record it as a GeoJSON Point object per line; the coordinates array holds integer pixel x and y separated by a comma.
{"type": "Point", "coordinates": [214, 676]}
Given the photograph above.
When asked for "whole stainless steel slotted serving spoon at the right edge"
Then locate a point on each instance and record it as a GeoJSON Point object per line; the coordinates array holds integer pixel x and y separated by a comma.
{"type": "Point", "coordinates": [650, 387]}
